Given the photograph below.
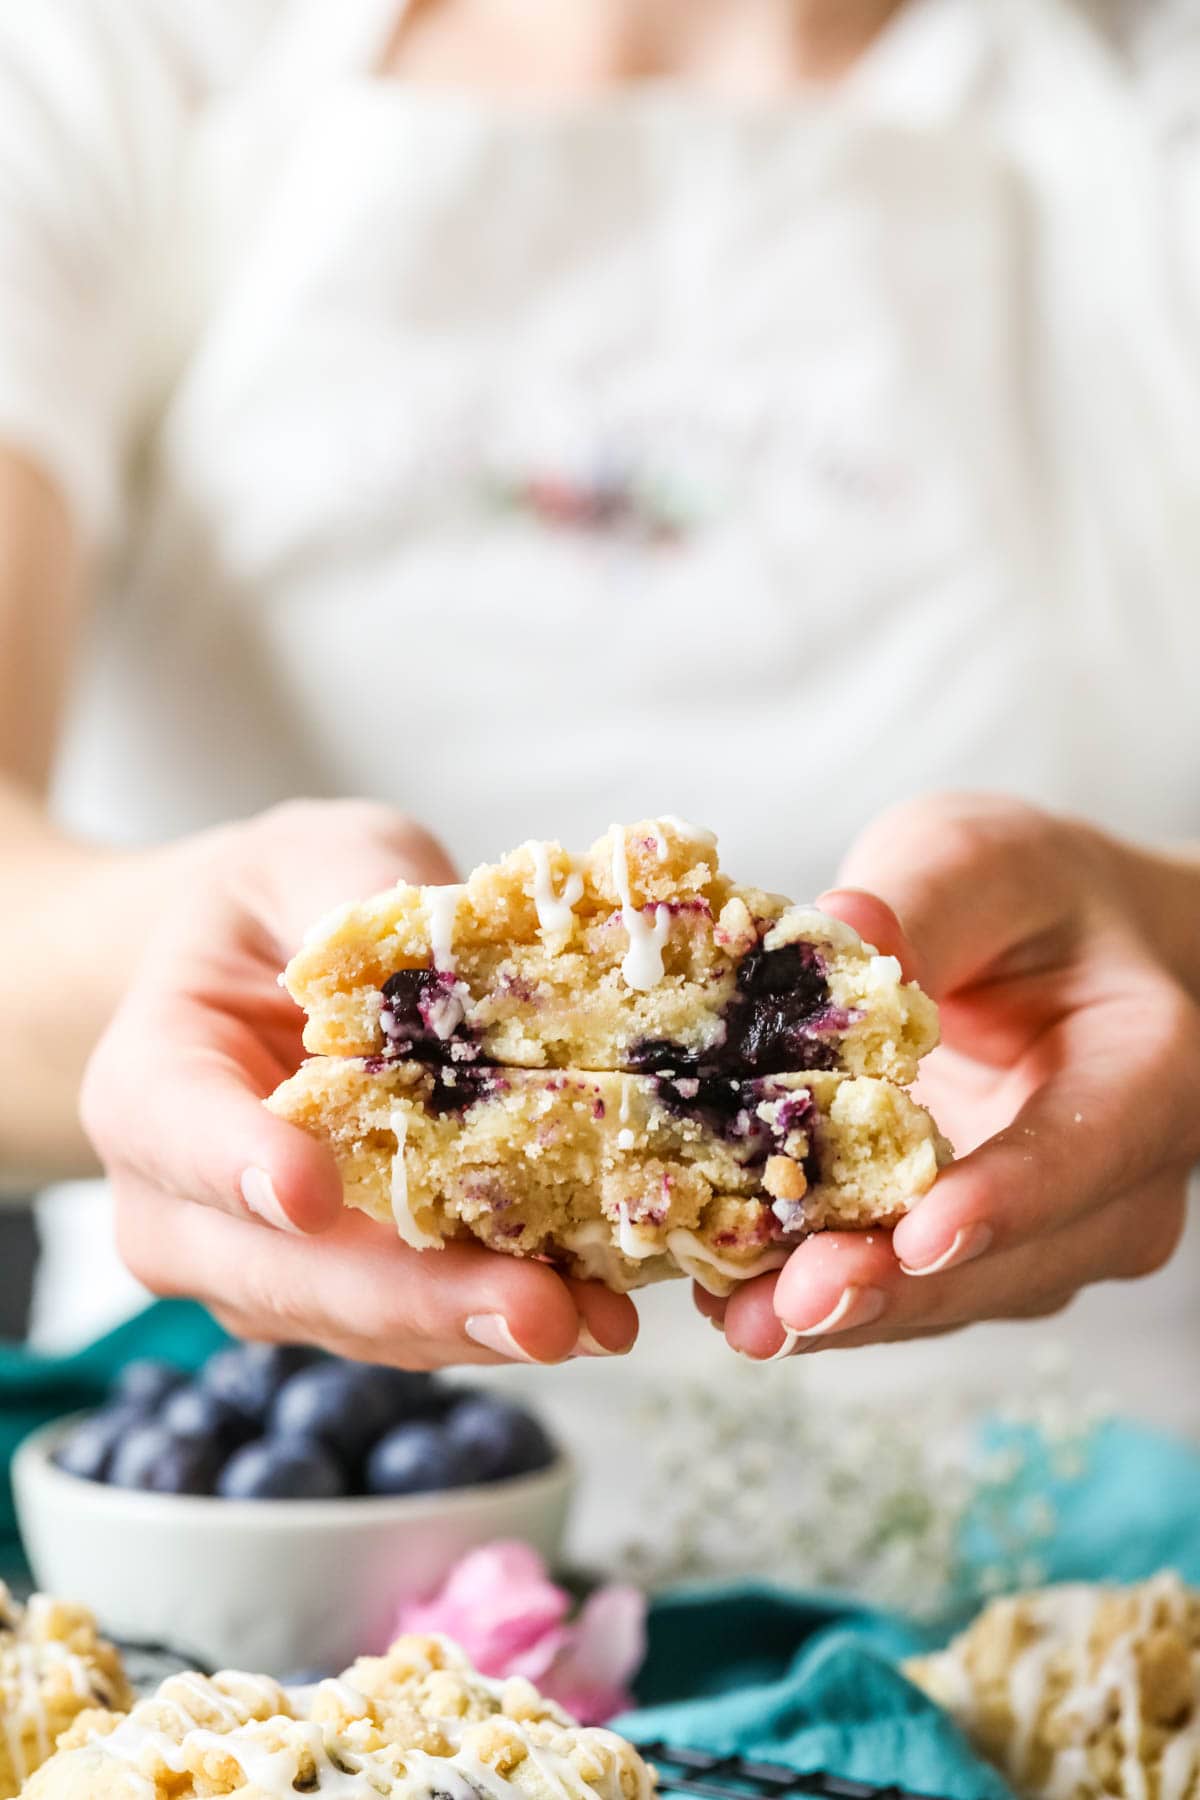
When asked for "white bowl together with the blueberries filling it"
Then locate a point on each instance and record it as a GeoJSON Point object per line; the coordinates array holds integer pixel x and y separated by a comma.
{"type": "Point", "coordinates": [276, 1509]}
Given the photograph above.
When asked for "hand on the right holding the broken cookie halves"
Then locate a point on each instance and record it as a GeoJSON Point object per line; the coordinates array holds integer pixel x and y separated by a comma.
{"type": "Point", "coordinates": [1068, 1079]}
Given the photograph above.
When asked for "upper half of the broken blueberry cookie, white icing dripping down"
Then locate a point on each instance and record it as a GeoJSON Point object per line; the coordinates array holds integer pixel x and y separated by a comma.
{"type": "Point", "coordinates": [640, 955]}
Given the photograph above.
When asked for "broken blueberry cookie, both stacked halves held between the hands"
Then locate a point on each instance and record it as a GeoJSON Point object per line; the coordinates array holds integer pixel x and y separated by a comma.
{"type": "Point", "coordinates": [622, 1063]}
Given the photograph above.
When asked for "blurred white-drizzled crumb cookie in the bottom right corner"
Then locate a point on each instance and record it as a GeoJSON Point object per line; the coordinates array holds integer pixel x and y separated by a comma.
{"type": "Point", "coordinates": [1082, 1691]}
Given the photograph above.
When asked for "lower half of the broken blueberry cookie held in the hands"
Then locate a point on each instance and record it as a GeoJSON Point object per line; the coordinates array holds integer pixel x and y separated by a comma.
{"type": "Point", "coordinates": [625, 1178]}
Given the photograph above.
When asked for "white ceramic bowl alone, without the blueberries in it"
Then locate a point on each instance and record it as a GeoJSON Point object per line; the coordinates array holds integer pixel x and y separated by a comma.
{"type": "Point", "coordinates": [271, 1585]}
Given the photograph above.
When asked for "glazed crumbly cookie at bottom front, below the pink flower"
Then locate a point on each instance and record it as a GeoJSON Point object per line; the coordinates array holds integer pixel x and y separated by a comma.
{"type": "Point", "coordinates": [415, 1723]}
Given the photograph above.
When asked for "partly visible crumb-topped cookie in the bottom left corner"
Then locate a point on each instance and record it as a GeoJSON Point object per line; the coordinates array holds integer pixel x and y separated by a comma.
{"type": "Point", "coordinates": [53, 1666]}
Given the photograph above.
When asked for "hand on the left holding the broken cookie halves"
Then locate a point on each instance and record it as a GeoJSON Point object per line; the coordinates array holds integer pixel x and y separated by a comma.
{"type": "Point", "coordinates": [220, 1200]}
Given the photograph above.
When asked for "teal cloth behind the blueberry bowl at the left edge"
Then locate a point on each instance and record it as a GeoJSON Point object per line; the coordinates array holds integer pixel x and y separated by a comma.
{"type": "Point", "coordinates": [39, 1389]}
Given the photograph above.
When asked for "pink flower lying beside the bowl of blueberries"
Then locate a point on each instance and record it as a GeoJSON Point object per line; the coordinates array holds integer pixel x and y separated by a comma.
{"type": "Point", "coordinates": [510, 1617]}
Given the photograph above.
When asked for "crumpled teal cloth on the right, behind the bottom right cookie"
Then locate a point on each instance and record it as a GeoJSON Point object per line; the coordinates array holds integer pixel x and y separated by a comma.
{"type": "Point", "coordinates": [812, 1682]}
